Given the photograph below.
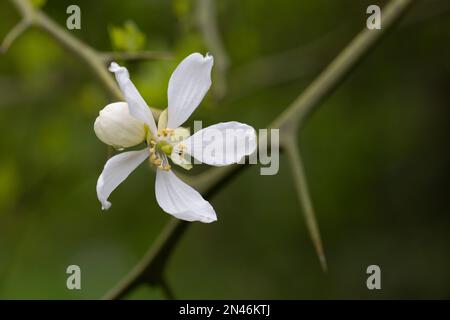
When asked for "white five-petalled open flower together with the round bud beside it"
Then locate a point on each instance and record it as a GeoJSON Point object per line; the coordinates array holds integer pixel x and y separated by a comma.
{"type": "Point", "coordinates": [122, 124]}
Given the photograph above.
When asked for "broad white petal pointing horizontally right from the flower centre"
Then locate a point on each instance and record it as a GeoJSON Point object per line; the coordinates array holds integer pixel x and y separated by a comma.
{"type": "Point", "coordinates": [221, 144]}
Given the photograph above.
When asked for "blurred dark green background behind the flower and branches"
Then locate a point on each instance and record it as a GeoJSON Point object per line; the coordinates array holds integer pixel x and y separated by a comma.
{"type": "Point", "coordinates": [376, 154]}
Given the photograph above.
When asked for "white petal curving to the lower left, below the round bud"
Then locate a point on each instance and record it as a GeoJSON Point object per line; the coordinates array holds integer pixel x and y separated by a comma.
{"type": "Point", "coordinates": [116, 170]}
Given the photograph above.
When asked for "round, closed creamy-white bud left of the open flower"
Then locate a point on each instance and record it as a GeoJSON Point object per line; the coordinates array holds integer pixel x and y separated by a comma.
{"type": "Point", "coordinates": [116, 127]}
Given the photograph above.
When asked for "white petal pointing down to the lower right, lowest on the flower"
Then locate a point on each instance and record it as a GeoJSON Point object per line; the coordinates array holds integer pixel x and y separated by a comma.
{"type": "Point", "coordinates": [180, 200]}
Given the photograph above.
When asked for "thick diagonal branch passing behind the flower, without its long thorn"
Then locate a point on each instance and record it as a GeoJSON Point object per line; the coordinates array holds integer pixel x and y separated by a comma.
{"type": "Point", "coordinates": [289, 123]}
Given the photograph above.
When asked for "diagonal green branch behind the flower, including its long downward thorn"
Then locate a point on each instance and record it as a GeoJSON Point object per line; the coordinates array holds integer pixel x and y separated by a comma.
{"type": "Point", "coordinates": [289, 122]}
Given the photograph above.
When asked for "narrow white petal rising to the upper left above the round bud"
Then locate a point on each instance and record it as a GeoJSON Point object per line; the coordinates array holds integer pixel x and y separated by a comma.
{"type": "Point", "coordinates": [138, 107]}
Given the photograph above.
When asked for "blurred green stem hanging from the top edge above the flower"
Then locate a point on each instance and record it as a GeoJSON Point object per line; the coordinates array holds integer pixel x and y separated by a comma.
{"type": "Point", "coordinates": [207, 22]}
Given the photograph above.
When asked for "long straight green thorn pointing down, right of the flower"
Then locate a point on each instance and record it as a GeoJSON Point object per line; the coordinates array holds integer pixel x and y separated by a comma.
{"type": "Point", "coordinates": [301, 184]}
